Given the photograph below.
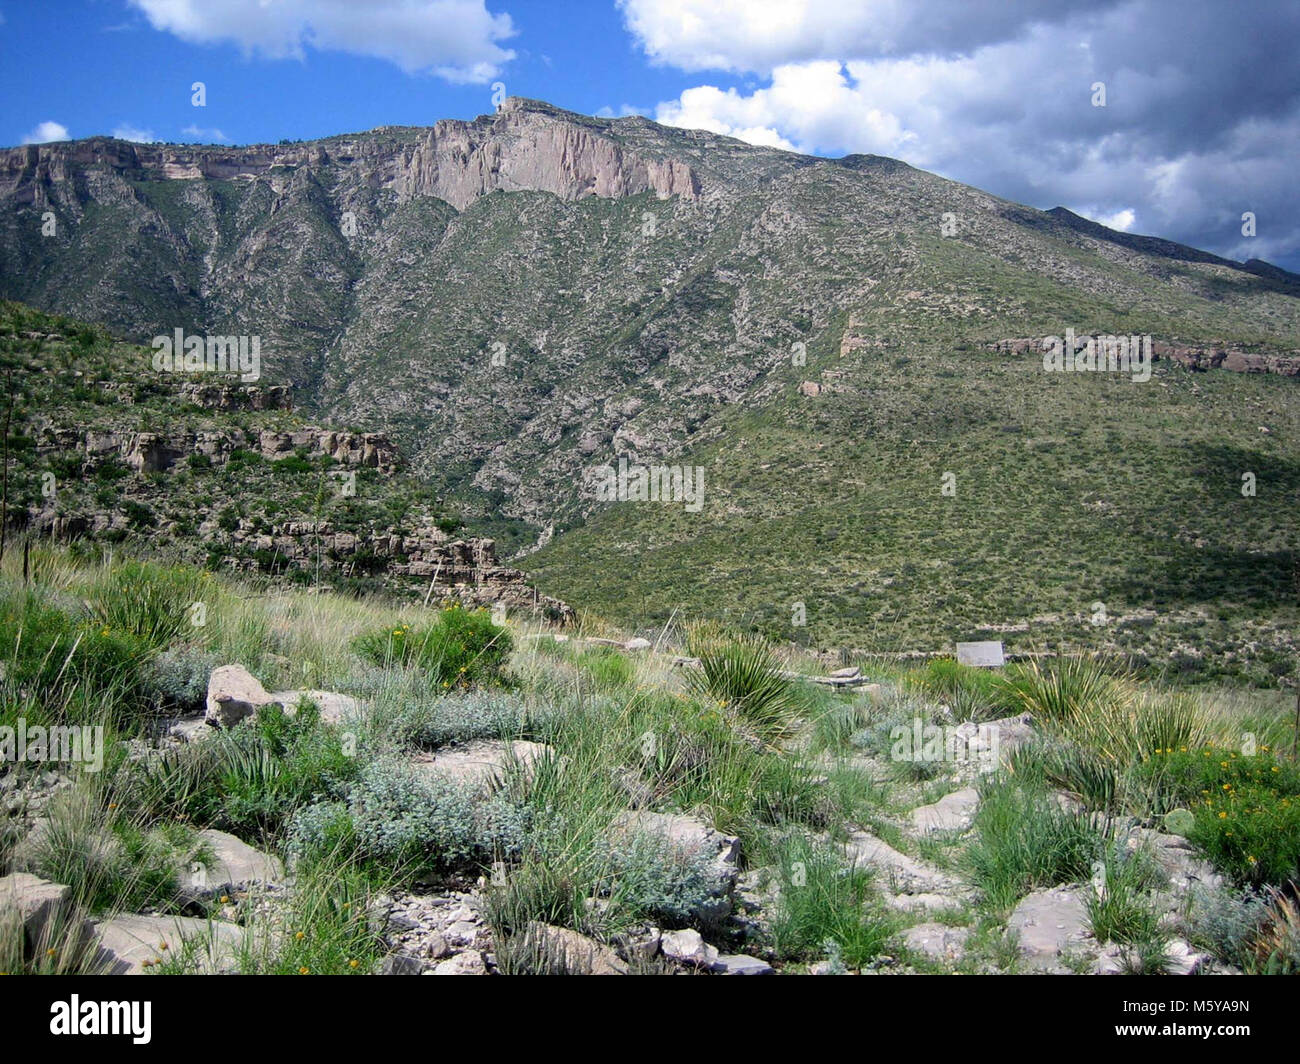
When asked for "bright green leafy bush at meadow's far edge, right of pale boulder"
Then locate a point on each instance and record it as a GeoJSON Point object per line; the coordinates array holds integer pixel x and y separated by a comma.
{"type": "Point", "coordinates": [462, 647]}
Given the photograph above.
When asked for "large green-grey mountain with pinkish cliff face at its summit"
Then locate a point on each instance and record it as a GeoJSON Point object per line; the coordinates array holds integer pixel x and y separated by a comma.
{"type": "Point", "coordinates": [519, 300]}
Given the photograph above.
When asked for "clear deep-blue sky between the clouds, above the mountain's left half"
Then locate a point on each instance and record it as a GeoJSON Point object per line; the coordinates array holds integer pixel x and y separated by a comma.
{"type": "Point", "coordinates": [114, 71]}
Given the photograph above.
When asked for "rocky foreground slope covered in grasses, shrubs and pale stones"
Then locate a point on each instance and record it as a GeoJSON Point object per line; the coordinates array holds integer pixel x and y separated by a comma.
{"type": "Point", "coordinates": [435, 791]}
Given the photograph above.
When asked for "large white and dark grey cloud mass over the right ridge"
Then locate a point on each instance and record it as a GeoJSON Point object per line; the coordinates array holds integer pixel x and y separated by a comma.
{"type": "Point", "coordinates": [1202, 118]}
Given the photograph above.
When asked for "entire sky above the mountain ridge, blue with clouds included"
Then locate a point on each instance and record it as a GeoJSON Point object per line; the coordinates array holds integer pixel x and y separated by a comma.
{"type": "Point", "coordinates": [1199, 123]}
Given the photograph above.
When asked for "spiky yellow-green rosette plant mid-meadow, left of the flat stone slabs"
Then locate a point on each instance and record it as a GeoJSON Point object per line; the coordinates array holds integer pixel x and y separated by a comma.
{"type": "Point", "coordinates": [747, 681]}
